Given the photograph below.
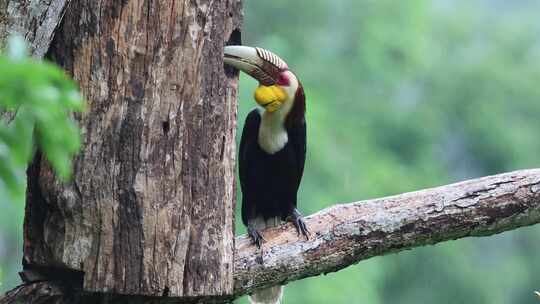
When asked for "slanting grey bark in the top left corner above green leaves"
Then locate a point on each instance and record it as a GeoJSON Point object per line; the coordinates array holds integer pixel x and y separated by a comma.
{"type": "Point", "coordinates": [36, 20]}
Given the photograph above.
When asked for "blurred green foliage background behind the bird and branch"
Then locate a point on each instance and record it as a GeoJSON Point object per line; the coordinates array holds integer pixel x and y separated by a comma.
{"type": "Point", "coordinates": [401, 95]}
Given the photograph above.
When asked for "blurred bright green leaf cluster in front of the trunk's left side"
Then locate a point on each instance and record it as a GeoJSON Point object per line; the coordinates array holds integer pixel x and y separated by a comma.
{"type": "Point", "coordinates": [37, 99]}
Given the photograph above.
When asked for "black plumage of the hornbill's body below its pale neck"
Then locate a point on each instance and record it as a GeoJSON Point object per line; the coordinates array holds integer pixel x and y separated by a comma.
{"type": "Point", "coordinates": [270, 182]}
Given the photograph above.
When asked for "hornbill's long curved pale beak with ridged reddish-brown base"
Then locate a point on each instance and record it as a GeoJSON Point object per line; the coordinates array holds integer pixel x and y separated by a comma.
{"type": "Point", "coordinates": [259, 63]}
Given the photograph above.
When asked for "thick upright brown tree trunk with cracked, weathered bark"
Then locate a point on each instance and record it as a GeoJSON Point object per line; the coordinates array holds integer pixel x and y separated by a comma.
{"type": "Point", "coordinates": [149, 210]}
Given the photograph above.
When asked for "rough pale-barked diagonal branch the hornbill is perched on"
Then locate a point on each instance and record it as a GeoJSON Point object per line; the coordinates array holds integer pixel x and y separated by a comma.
{"type": "Point", "coordinates": [345, 234]}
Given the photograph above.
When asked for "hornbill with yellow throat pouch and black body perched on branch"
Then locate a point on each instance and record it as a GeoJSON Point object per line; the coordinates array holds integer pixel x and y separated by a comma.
{"type": "Point", "coordinates": [272, 148]}
